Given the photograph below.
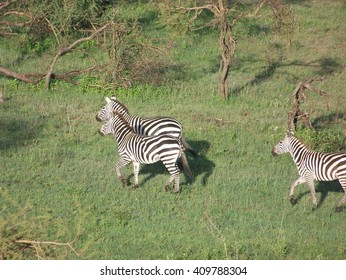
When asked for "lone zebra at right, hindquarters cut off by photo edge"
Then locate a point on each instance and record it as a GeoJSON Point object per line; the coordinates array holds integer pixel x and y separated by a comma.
{"type": "Point", "coordinates": [313, 166]}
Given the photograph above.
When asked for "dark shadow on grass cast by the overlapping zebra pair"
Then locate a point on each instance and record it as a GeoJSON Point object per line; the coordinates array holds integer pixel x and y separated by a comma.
{"type": "Point", "coordinates": [200, 165]}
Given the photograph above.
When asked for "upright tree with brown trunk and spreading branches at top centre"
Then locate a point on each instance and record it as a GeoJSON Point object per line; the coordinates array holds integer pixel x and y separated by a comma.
{"type": "Point", "coordinates": [226, 14]}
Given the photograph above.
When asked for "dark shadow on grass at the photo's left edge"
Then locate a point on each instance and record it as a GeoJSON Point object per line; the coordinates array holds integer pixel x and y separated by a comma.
{"type": "Point", "coordinates": [17, 132]}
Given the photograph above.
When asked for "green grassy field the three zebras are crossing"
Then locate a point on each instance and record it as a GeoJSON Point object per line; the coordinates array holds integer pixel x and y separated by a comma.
{"type": "Point", "coordinates": [58, 183]}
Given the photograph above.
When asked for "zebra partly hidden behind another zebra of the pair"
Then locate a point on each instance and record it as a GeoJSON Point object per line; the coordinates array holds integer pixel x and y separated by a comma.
{"type": "Point", "coordinates": [145, 126]}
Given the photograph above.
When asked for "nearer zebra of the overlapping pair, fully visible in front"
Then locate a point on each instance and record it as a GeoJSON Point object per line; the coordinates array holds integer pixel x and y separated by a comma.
{"type": "Point", "coordinates": [137, 148]}
